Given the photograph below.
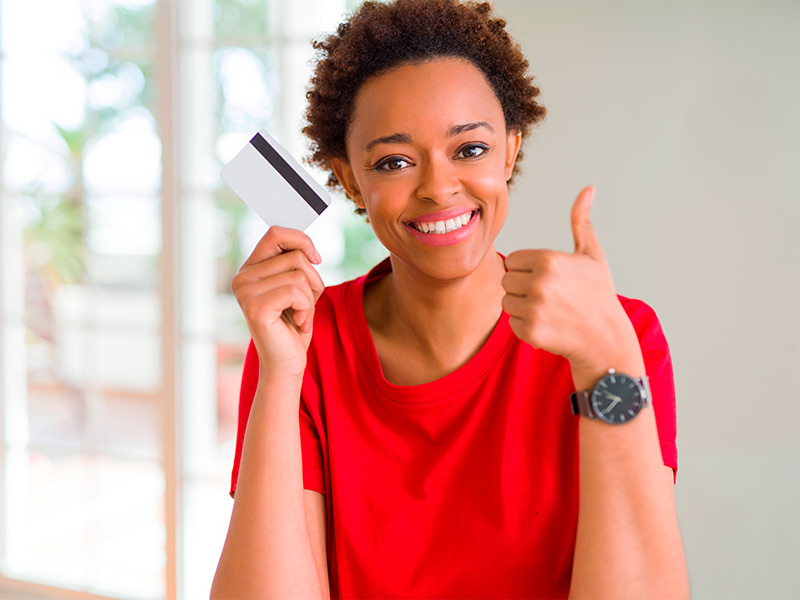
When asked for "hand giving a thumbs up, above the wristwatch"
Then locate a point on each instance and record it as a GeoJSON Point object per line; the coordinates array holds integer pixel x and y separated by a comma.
{"type": "Point", "coordinates": [566, 304]}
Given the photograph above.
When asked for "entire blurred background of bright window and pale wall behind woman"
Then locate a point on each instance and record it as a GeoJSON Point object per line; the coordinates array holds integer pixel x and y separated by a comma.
{"type": "Point", "coordinates": [121, 345]}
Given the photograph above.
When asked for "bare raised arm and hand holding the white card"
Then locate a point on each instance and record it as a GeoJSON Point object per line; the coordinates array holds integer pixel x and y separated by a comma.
{"type": "Point", "coordinates": [268, 551]}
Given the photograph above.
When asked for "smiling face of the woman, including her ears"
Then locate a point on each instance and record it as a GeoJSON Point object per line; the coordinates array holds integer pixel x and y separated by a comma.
{"type": "Point", "coordinates": [429, 158]}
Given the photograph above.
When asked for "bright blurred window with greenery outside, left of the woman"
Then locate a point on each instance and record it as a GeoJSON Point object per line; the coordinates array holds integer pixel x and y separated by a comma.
{"type": "Point", "coordinates": [103, 490]}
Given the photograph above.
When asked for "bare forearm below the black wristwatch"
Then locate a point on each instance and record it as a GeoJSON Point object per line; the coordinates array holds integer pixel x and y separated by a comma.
{"type": "Point", "coordinates": [628, 543]}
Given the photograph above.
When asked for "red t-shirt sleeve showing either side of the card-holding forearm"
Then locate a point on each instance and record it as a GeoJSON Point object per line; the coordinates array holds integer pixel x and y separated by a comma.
{"type": "Point", "coordinates": [309, 438]}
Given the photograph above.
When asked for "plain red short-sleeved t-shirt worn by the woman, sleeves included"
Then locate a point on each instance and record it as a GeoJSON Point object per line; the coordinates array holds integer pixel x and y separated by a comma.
{"type": "Point", "coordinates": [466, 486]}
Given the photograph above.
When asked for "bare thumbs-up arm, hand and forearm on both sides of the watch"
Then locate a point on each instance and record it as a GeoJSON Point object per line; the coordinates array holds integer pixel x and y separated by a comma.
{"type": "Point", "coordinates": [628, 541]}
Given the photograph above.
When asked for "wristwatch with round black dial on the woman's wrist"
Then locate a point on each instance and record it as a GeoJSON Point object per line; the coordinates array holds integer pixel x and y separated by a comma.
{"type": "Point", "coordinates": [616, 399]}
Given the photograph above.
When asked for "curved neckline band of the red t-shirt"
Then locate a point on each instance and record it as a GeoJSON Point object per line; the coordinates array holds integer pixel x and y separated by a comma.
{"type": "Point", "coordinates": [425, 393]}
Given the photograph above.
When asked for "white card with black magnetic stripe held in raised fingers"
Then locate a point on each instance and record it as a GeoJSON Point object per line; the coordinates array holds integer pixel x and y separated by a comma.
{"type": "Point", "coordinates": [273, 184]}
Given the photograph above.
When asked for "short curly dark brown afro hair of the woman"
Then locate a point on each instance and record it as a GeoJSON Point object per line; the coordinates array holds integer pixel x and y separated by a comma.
{"type": "Point", "coordinates": [381, 36]}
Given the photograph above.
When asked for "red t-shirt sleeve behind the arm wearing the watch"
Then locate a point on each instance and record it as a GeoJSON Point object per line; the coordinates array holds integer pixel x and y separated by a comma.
{"type": "Point", "coordinates": [658, 365]}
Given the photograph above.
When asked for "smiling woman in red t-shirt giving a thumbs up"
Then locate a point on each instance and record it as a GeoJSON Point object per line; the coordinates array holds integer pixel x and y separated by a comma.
{"type": "Point", "coordinates": [437, 454]}
